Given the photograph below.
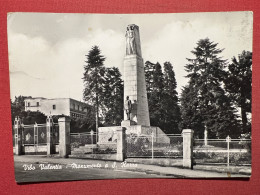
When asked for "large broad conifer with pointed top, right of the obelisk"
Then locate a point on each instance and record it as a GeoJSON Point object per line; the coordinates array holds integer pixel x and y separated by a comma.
{"type": "Point", "coordinates": [208, 103]}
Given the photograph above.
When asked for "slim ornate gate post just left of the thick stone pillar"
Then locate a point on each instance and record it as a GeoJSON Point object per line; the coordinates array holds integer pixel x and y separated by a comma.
{"type": "Point", "coordinates": [50, 140]}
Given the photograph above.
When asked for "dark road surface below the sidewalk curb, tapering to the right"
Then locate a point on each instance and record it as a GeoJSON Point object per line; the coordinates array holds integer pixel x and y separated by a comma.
{"type": "Point", "coordinates": [68, 173]}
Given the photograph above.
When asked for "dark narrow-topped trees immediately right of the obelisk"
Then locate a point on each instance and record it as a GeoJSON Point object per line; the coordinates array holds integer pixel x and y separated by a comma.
{"type": "Point", "coordinates": [162, 96]}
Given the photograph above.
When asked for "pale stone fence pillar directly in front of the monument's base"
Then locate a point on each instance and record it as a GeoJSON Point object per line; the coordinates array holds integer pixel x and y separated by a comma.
{"type": "Point", "coordinates": [121, 144]}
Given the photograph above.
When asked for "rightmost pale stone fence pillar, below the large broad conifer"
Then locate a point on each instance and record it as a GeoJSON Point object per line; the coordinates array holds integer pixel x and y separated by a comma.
{"type": "Point", "coordinates": [187, 148]}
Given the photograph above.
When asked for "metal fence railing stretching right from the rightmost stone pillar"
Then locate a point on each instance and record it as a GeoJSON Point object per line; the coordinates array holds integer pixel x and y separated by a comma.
{"type": "Point", "coordinates": [222, 151]}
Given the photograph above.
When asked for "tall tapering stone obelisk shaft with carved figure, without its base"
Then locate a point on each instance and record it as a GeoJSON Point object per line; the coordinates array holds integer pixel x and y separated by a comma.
{"type": "Point", "coordinates": [134, 78]}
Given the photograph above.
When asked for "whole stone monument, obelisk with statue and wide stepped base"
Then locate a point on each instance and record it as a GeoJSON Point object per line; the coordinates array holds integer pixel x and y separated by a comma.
{"type": "Point", "coordinates": [136, 112]}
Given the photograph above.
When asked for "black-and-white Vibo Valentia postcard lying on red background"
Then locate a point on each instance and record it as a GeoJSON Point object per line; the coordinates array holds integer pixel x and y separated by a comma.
{"type": "Point", "coordinates": [110, 96]}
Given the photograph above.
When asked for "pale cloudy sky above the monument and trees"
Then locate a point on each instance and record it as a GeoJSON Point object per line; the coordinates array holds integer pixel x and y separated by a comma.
{"type": "Point", "coordinates": [47, 50]}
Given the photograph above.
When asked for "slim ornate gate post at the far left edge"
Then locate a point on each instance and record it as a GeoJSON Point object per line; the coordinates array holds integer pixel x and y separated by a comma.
{"type": "Point", "coordinates": [18, 136]}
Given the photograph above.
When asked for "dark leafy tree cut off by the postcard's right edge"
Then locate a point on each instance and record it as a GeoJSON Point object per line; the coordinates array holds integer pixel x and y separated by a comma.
{"type": "Point", "coordinates": [238, 84]}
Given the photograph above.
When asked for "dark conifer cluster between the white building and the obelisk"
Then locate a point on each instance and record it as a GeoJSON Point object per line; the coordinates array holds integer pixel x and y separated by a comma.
{"type": "Point", "coordinates": [103, 88]}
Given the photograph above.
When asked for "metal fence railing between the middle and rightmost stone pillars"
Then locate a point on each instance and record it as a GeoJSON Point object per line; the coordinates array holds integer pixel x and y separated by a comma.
{"type": "Point", "coordinates": [154, 146]}
